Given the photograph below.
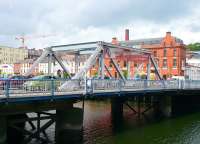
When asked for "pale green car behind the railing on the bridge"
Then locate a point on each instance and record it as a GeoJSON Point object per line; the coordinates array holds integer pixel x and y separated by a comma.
{"type": "Point", "coordinates": [41, 82]}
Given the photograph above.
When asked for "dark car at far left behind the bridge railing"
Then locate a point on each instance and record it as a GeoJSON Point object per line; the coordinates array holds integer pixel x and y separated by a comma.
{"type": "Point", "coordinates": [12, 82]}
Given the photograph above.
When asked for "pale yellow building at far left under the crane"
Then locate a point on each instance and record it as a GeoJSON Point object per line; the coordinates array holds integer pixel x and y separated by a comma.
{"type": "Point", "coordinates": [10, 55]}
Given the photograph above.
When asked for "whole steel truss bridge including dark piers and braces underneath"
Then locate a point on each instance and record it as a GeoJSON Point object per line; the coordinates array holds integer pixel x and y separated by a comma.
{"type": "Point", "coordinates": [19, 97]}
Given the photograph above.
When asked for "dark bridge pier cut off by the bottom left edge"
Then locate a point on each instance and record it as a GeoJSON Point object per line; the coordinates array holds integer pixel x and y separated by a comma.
{"type": "Point", "coordinates": [3, 130]}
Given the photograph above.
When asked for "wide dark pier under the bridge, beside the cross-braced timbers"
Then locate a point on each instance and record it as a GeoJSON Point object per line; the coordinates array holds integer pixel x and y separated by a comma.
{"type": "Point", "coordinates": [69, 125]}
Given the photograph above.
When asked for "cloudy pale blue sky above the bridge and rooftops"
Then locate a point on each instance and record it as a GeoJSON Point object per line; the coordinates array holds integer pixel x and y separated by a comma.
{"type": "Point", "coordinates": [53, 22]}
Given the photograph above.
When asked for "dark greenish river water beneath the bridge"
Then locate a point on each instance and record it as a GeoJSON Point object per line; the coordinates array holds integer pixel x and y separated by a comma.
{"type": "Point", "coordinates": [99, 129]}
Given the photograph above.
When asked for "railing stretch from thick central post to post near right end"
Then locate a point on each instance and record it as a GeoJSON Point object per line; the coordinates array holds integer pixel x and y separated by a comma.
{"type": "Point", "coordinates": [98, 85]}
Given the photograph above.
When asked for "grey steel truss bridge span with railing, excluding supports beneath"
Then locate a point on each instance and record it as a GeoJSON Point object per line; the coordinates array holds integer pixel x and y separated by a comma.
{"type": "Point", "coordinates": [82, 84]}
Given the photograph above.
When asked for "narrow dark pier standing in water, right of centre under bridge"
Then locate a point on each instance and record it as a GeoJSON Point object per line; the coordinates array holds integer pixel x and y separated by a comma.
{"type": "Point", "coordinates": [117, 110]}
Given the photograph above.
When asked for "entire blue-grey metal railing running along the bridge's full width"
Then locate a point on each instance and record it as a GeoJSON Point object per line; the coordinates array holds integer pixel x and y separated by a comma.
{"type": "Point", "coordinates": [52, 87]}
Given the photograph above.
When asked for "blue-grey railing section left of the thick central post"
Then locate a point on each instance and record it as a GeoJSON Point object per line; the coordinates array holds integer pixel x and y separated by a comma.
{"type": "Point", "coordinates": [38, 87]}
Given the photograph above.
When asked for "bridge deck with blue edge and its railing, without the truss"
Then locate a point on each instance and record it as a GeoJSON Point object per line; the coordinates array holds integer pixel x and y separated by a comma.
{"type": "Point", "coordinates": [49, 90]}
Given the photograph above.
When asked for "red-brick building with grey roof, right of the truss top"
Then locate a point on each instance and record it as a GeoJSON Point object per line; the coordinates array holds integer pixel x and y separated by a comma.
{"type": "Point", "coordinates": [169, 52]}
